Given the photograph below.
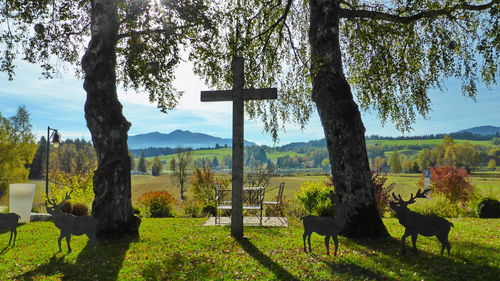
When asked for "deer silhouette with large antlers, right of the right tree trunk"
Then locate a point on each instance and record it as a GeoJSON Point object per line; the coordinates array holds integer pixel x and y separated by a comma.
{"type": "Point", "coordinates": [415, 223]}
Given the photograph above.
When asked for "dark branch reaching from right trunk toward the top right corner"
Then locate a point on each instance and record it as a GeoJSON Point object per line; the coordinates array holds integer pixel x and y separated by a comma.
{"type": "Point", "coordinates": [366, 14]}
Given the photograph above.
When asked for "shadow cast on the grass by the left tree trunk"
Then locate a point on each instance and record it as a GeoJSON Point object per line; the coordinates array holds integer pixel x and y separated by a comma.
{"type": "Point", "coordinates": [104, 263]}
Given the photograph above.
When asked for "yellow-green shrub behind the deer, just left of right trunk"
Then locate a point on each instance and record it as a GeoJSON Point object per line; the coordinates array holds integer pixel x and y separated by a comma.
{"type": "Point", "coordinates": [314, 194]}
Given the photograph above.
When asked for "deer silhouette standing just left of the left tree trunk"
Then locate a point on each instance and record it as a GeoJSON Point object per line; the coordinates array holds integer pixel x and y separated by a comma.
{"type": "Point", "coordinates": [72, 225]}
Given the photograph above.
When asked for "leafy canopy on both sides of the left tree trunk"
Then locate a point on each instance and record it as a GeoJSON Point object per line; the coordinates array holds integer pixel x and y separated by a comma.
{"type": "Point", "coordinates": [151, 36]}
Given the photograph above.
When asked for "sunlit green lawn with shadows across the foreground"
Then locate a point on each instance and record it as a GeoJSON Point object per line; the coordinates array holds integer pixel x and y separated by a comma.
{"type": "Point", "coordinates": [182, 249]}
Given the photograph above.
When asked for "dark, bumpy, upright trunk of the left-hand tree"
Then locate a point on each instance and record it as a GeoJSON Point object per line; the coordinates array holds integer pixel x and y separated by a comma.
{"type": "Point", "coordinates": [112, 205]}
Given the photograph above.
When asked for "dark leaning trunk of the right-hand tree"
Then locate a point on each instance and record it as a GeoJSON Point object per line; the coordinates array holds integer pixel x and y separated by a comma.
{"type": "Point", "coordinates": [341, 120]}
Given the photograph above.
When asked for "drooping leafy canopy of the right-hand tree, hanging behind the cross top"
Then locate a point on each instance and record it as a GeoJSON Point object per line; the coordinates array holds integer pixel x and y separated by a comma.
{"type": "Point", "coordinates": [394, 53]}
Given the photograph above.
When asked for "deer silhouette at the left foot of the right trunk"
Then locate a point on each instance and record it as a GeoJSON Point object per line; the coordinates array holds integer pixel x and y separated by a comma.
{"type": "Point", "coordinates": [326, 226]}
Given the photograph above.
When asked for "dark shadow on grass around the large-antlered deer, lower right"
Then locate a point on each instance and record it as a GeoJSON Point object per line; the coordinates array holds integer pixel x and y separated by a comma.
{"type": "Point", "coordinates": [432, 265]}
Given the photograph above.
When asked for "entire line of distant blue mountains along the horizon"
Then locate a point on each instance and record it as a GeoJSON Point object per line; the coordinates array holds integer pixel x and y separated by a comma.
{"type": "Point", "coordinates": [185, 139]}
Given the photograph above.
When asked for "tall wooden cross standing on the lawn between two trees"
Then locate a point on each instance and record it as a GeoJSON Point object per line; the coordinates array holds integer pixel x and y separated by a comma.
{"type": "Point", "coordinates": [237, 95]}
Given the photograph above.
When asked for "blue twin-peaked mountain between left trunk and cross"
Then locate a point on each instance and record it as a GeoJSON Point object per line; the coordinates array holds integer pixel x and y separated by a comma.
{"type": "Point", "coordinates": [178, 138]}
